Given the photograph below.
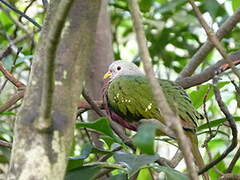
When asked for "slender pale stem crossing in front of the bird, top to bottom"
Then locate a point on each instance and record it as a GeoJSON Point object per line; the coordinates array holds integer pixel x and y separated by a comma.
{"type": "Point", "coordinates": [170, 118]}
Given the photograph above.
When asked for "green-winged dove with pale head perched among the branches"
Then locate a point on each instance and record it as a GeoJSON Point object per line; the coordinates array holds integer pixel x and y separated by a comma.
{"type": "Point", "coordinates": [127, 98]}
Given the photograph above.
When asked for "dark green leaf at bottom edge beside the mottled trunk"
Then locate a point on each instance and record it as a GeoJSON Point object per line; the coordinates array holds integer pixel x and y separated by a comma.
{"type": "Point", "coordinates": [88, 173]}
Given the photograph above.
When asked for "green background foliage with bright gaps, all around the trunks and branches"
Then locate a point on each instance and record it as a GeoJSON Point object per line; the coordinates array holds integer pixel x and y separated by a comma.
{"type": "Point", "coordinates": [173, 35]}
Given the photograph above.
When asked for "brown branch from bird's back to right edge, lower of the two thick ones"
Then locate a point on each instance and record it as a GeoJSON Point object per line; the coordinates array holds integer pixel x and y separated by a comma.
{"type": "Point", "coordinates": [208, 73]}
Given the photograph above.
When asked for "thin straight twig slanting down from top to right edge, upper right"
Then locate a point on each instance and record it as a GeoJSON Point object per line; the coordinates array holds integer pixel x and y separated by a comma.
{"type": "Point", "coordinates": [213, 38]}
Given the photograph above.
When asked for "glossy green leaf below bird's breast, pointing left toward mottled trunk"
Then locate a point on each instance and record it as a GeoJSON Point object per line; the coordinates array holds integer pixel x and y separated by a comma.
{"type": "Point", "coordinates": [100, 125]}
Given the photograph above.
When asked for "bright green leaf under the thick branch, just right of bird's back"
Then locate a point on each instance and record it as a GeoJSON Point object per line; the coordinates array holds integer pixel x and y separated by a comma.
{"type": "Point", "coordinates": [197, 96]}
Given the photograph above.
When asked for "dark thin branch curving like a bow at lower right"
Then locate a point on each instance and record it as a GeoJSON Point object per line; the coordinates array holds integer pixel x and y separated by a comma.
{"type": "Point", "coordinates": [231, 121]}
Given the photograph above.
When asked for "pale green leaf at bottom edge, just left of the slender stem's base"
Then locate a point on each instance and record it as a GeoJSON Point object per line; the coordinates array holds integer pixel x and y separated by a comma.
{"type": "Point", "coordinates": [171, 174]}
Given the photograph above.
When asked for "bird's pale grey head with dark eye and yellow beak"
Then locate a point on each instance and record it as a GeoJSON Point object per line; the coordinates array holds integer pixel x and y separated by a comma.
{"type": "Point", "coordinates": [121, 68]}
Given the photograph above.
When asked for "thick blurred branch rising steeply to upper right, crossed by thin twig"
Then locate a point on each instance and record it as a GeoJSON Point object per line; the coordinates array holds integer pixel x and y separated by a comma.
{"type": "Point", "coordinates": [199, 56]}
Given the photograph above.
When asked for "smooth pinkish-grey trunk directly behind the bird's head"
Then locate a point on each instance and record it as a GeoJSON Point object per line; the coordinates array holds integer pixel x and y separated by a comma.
{"type": "Point", "coordinates": [102, 56]}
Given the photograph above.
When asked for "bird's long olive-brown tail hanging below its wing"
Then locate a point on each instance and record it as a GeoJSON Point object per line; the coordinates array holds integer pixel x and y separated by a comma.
{"type": "Point", "coordinates": [196, 153]}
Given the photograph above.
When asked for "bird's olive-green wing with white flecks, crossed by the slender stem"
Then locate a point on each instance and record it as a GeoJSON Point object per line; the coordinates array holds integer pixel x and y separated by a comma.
{"type": "Point", "coordinates": [132, 98]}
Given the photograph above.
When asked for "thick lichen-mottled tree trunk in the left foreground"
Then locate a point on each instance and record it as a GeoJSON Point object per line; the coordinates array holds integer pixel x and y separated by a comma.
{"type": "Point", "coordinates": [41, 153]}
